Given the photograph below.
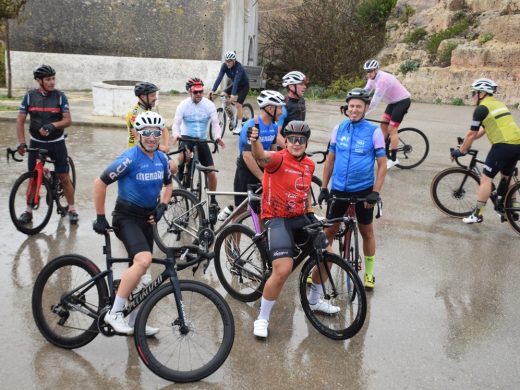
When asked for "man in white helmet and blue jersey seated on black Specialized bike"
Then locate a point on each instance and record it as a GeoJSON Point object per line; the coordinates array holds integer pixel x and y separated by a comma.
{"type": "Point", "coordinates": [141, 173]}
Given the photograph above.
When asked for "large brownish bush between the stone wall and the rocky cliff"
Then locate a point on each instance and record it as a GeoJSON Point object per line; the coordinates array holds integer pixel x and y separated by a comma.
{"type": "Point", "coordinates": [326, 39]}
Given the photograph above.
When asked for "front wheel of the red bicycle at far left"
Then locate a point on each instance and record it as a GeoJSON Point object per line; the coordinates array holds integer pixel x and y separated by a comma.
{"type": "Point", "coordinates": [18, 203]}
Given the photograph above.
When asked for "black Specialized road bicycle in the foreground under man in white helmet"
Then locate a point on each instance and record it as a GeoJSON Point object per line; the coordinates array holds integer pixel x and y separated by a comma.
{"type": "Point", "coordinates": [71, 297]}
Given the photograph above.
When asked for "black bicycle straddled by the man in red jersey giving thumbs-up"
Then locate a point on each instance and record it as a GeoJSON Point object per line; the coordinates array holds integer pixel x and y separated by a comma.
{"type": "Point", "coordinates": [243, 266]}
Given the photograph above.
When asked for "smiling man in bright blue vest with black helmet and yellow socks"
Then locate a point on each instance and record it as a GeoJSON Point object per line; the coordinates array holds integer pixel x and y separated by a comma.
{"type": "Point", "coordinates": [354, 146]}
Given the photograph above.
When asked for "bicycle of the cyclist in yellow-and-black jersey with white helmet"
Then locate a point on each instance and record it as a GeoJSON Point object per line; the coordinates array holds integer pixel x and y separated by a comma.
{"type": "Point", "coordinates": [454, 191]}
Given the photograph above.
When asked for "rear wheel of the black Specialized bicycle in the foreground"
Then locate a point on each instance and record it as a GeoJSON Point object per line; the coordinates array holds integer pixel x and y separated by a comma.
{"type": "Point", "coordinates": [50, 304]}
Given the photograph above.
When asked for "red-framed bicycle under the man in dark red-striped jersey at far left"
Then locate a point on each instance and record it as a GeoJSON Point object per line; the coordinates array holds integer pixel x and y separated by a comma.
{"type": "Point", "coordinates": [34, 186]}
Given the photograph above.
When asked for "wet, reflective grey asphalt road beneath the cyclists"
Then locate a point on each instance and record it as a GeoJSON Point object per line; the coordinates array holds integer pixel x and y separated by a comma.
{"type": "Point", "coordinates": [444, 313]}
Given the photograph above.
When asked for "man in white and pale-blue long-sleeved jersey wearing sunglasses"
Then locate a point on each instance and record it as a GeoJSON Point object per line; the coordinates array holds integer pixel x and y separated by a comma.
{"type": "Point", "coordinates": [191, 119]}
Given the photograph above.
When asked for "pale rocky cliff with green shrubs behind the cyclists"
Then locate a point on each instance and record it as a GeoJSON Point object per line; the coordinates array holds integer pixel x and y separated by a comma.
{"type": "Point", "coordinates": [487, 44]}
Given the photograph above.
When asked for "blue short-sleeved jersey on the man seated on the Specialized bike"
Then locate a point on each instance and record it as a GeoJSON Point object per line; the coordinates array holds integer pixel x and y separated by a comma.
{"type": "Point", "coordinates": [140, 178]}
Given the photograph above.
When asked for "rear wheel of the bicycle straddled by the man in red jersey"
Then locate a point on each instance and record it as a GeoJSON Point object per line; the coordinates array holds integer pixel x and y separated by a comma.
{"type": "Point", "coordinates": [240, 263]}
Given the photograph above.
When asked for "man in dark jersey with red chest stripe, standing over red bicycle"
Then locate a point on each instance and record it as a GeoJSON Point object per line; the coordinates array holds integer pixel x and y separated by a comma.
{"type": "Point", "coordinates": [50, 115]}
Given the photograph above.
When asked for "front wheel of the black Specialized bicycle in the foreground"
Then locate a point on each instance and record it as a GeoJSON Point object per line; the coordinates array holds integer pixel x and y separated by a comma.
{"type": "Point", "coordinates": [194, 353]}
